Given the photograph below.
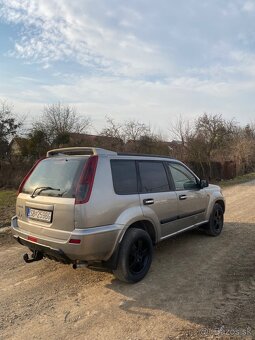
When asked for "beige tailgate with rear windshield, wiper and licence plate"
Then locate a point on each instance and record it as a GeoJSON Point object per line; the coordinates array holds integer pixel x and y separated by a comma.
{"type": "Point", "coordinates": [41, 209]}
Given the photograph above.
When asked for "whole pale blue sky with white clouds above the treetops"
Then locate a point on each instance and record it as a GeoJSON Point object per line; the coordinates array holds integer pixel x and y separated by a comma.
{"type": "Point", "coordinates": [148, 60]}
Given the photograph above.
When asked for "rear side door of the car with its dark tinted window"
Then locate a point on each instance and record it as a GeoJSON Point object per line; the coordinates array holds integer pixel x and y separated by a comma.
{"type": "Point", "coordinates": [157, 198]}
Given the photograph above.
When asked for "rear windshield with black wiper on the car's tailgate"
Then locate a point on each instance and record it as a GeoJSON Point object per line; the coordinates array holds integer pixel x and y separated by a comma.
{"type": "Point", "coordinates": [58, 173]}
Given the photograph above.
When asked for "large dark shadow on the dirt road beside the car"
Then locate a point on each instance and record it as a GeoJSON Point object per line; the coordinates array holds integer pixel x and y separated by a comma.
{"type": "Point", "coordinates": [206, 280]}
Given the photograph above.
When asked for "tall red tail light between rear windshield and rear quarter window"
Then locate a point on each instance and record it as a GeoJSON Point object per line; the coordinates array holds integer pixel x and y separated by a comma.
{"type": "Point", "coordinates": [85, 184]}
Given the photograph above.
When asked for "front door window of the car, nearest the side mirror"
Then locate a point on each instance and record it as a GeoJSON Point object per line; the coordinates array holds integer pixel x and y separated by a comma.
{"type": "Point", "coordinates": [183, 179]}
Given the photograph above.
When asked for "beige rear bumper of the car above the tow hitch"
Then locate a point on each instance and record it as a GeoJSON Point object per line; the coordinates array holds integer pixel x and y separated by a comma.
{"type": "Point", "coordinates": [96, 244]}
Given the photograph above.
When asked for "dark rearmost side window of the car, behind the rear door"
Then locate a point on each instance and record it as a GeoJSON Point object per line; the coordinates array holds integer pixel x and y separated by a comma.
{"type": "Point", "coordinates": [124, 177]}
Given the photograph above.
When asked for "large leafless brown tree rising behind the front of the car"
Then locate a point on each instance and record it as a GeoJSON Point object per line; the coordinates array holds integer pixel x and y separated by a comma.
{"type": "Point", "coordinates": [208, 139]}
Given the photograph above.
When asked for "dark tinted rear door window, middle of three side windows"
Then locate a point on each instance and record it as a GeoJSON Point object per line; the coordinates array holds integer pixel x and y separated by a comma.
{"type": "Point", "coordinates": [153, 177]}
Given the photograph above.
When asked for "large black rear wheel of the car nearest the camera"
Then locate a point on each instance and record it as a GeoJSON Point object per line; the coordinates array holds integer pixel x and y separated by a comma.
{"type": "Point", "coordinates": [135, 256]}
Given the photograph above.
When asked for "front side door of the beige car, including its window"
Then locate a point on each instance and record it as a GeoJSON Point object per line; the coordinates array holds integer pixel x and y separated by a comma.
{"type": "Point", "coordinates": [192, 201]}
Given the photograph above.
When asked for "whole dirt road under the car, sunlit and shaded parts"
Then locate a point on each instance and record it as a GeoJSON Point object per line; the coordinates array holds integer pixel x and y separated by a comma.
{"type": "Point", "coordinates": [199, 287]}
